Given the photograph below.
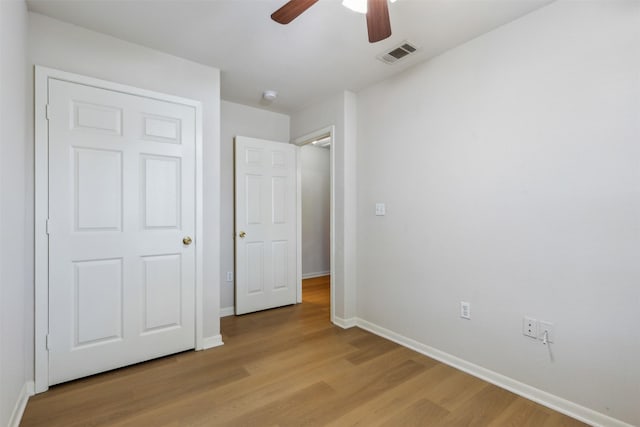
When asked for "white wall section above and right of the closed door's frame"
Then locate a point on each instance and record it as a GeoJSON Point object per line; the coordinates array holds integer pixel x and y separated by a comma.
{"type": "Point", "coordinates": [70, 48]}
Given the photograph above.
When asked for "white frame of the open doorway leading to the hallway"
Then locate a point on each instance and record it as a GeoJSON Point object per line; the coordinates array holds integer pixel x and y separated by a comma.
{"type": "Point", "coordinates": [300, 142]}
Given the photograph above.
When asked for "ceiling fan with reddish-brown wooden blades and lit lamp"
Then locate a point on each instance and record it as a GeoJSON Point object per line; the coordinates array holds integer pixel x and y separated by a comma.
{"type": "Point", "coordinates": [378, 23]}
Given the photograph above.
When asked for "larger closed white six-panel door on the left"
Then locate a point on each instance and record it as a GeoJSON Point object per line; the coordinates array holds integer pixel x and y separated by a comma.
{"type": "Point", "coordinates": [121, 201]}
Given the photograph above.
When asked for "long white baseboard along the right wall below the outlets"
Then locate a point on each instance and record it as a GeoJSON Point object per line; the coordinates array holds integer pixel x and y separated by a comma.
{"type": "Point", "coordinates": [549, 400]}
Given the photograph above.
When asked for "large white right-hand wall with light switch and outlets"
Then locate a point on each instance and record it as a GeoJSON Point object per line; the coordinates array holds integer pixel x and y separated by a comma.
{"type": "Point", "coordinates": [510, 168]}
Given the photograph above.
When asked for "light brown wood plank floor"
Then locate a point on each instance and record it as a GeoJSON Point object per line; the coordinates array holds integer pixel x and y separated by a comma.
{"type": "Point", "coordinates": [288, 367]}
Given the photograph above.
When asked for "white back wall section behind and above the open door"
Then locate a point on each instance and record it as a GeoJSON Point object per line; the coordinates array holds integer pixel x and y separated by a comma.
{"type": "Point", "coordinates": [237, 119]}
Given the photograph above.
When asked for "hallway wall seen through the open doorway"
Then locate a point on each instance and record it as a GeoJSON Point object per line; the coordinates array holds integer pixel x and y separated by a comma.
{"type": "Point", "coordinates": [316, 192]}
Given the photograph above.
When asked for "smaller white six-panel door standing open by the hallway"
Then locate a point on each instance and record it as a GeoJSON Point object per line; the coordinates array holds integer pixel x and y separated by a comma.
{"type": "Point", "coordinates": [265, 224]}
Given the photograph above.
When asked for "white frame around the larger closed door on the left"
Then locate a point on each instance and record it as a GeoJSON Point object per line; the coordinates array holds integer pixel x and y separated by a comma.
{"type": "Point", "coordinates": [41, 240]}
